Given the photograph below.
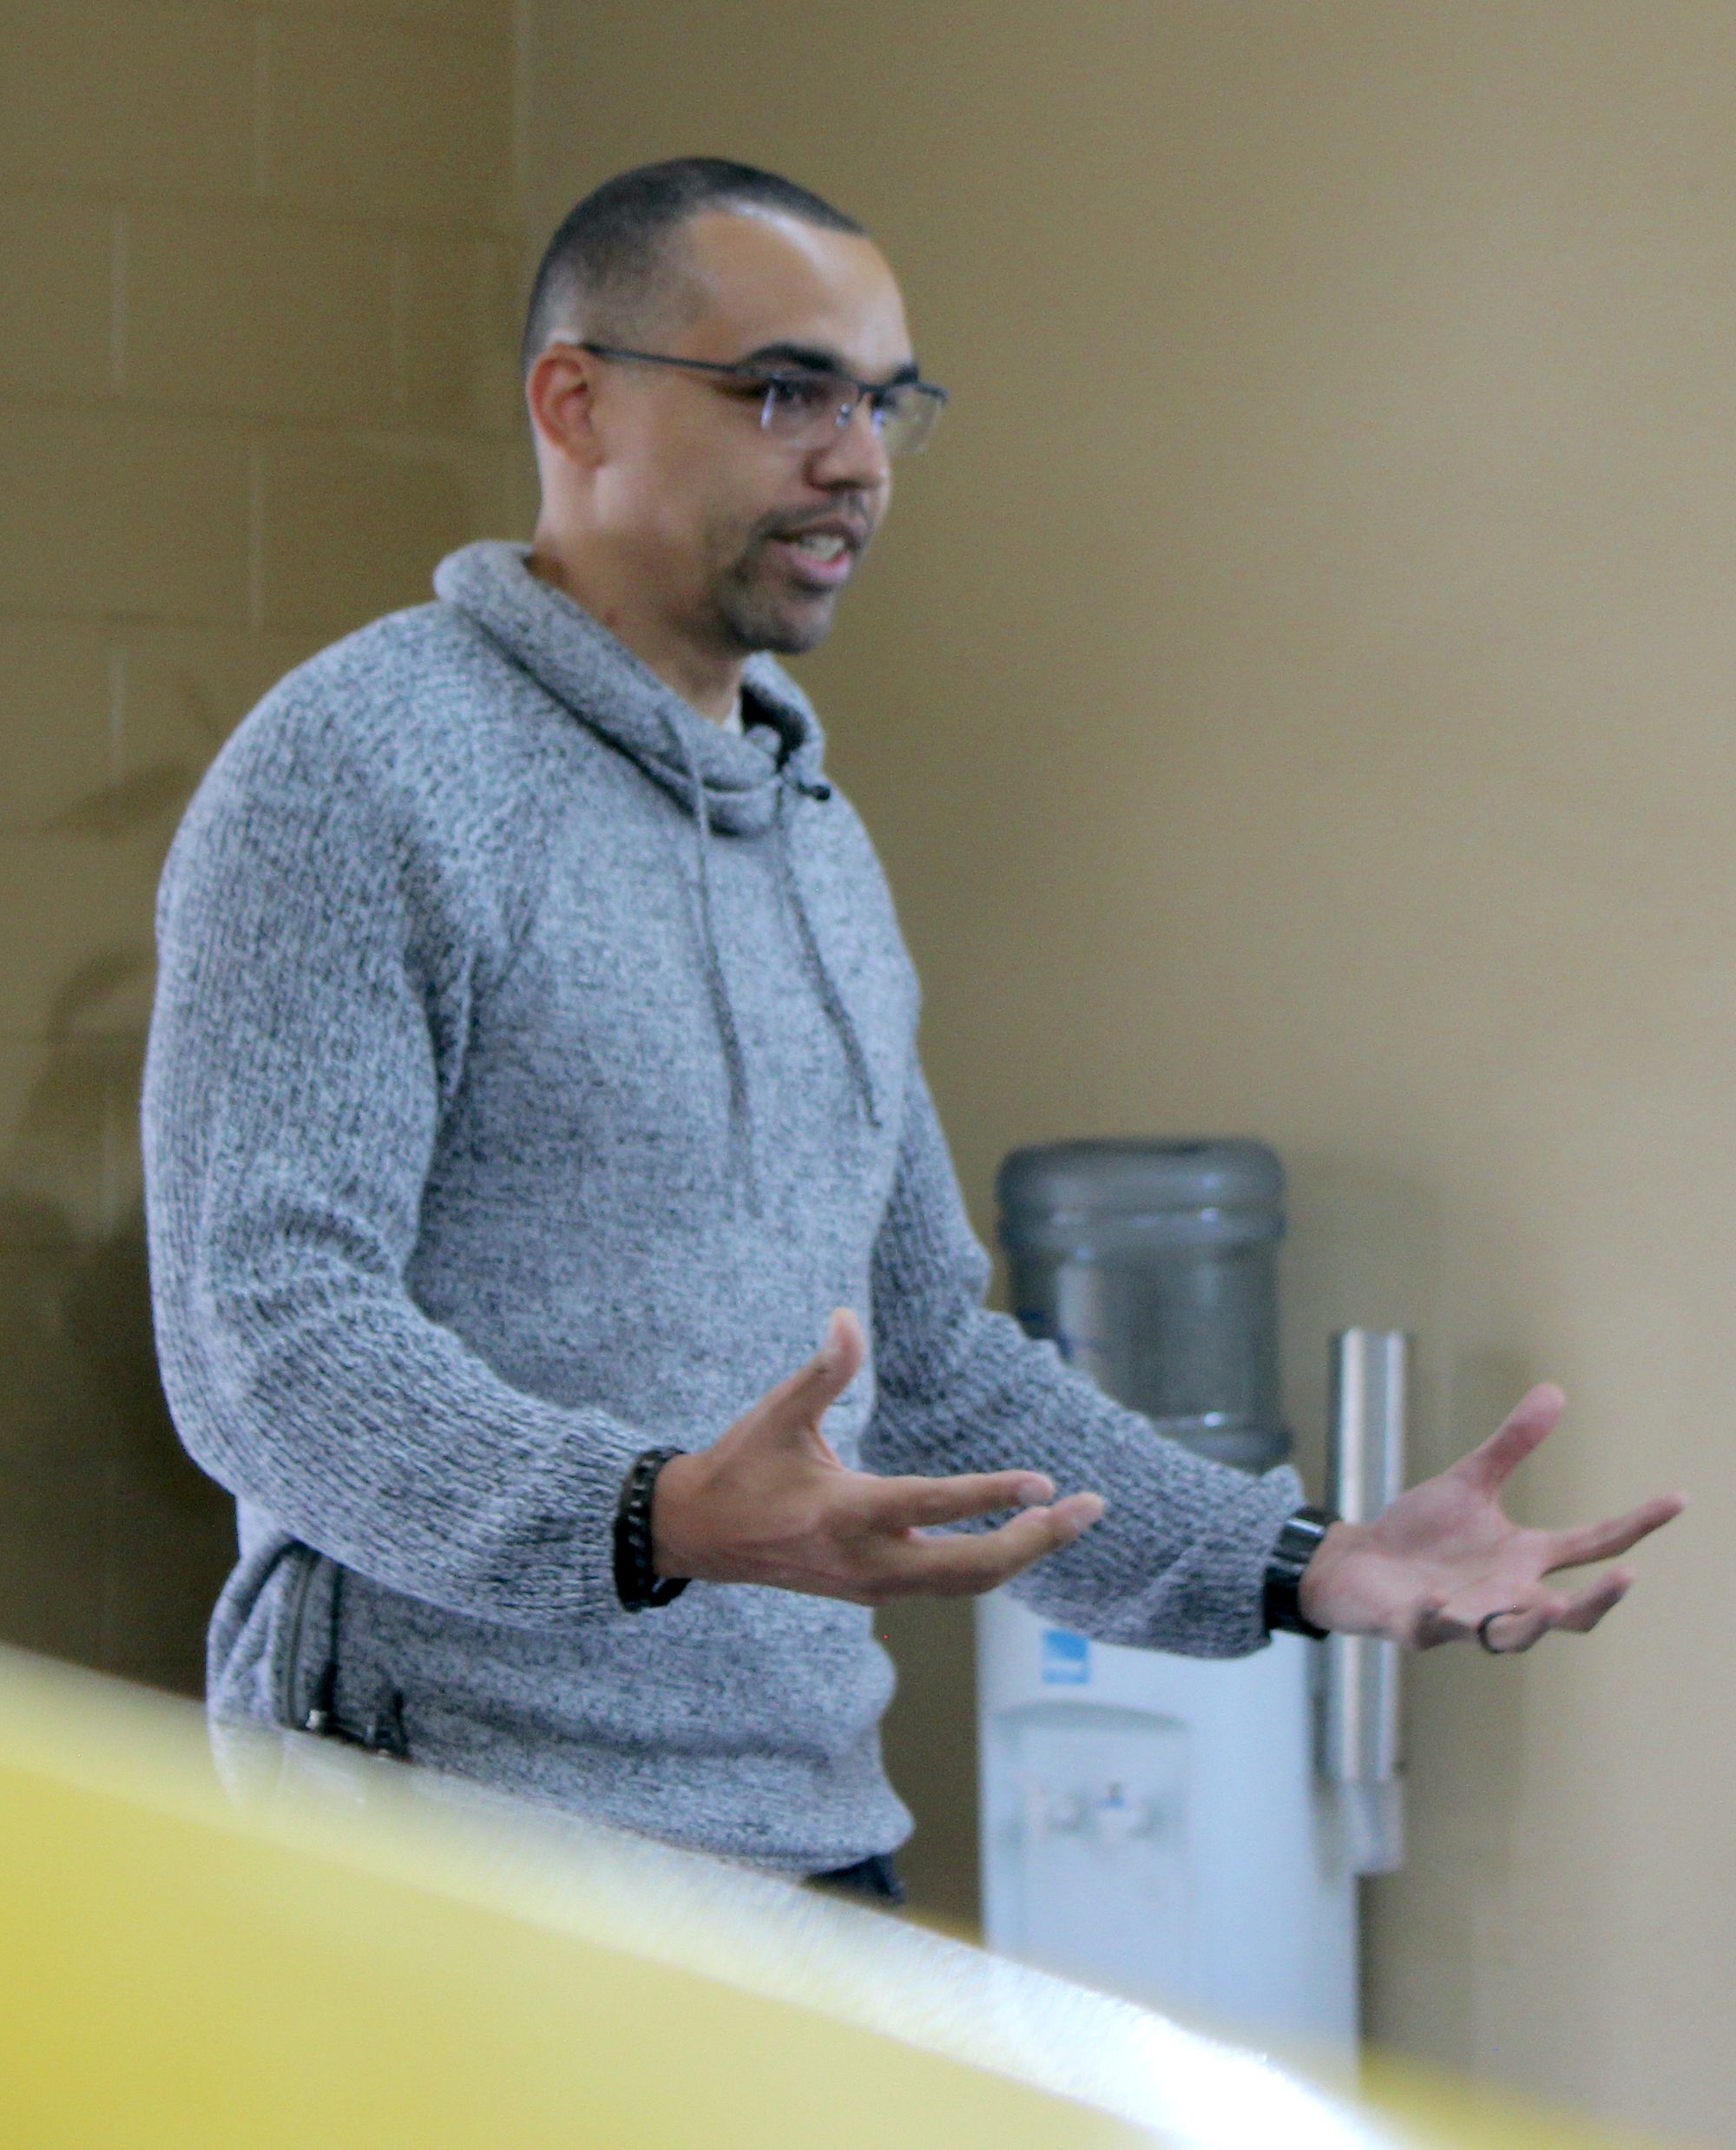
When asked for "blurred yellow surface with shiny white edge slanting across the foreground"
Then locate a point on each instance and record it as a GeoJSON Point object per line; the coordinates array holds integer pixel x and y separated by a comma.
{"type": "Point", "coordinates": [362, 1955]}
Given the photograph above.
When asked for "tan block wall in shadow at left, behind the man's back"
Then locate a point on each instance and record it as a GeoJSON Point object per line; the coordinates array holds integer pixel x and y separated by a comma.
{"type": "Point", "coordinates": [257, 319]}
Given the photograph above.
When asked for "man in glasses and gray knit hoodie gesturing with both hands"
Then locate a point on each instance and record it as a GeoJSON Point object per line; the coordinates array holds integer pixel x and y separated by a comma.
{"type": "Point", "coordinates": [535, 1080]}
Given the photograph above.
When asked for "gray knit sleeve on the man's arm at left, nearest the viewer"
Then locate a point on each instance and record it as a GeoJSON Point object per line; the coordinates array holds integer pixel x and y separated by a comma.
{"type": "Point", "coordinates": [309, 1012]}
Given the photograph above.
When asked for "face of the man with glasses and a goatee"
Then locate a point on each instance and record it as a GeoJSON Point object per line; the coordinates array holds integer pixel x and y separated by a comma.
{"type": "Point", "coordinates": [748, 539]}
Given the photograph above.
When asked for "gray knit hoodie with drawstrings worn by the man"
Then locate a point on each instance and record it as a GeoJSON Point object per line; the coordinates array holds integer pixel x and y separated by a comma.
{"type": "Point", "coordinates": [535, 1067]}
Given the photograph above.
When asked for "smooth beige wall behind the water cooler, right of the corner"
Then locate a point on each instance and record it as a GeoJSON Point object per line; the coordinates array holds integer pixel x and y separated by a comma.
{"type": "Point", "coordinates": [1296, 698]}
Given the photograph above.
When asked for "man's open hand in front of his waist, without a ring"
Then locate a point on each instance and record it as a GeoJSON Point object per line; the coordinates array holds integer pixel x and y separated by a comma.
{"type": "Point", "coordinates": [773, 1504]}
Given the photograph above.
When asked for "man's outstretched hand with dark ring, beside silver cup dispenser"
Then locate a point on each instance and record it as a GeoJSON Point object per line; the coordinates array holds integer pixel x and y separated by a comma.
{"type": "Point", "coordinates": [1447, 1562]}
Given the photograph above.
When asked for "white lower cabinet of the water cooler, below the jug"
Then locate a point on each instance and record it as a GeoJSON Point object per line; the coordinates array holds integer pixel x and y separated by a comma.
{"type": "Point", "coordinates": [1158, 1829]}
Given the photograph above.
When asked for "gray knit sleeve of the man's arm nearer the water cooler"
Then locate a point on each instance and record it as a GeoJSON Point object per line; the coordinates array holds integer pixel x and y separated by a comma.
{"type": "Point", "coordinates": [1180, 1558]}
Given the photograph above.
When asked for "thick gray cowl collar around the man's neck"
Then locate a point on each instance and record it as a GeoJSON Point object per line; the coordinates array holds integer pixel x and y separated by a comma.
{"type": "Point", "coordinates": [732, 779]}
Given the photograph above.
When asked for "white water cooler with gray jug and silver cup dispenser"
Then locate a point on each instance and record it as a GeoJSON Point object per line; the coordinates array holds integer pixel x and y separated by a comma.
{"type": "Point", "coordinates": [1182, 1831]}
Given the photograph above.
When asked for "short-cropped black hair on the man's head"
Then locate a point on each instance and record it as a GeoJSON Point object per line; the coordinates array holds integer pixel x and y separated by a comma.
{"type": "Point", "coordinates": [612, 250]}
